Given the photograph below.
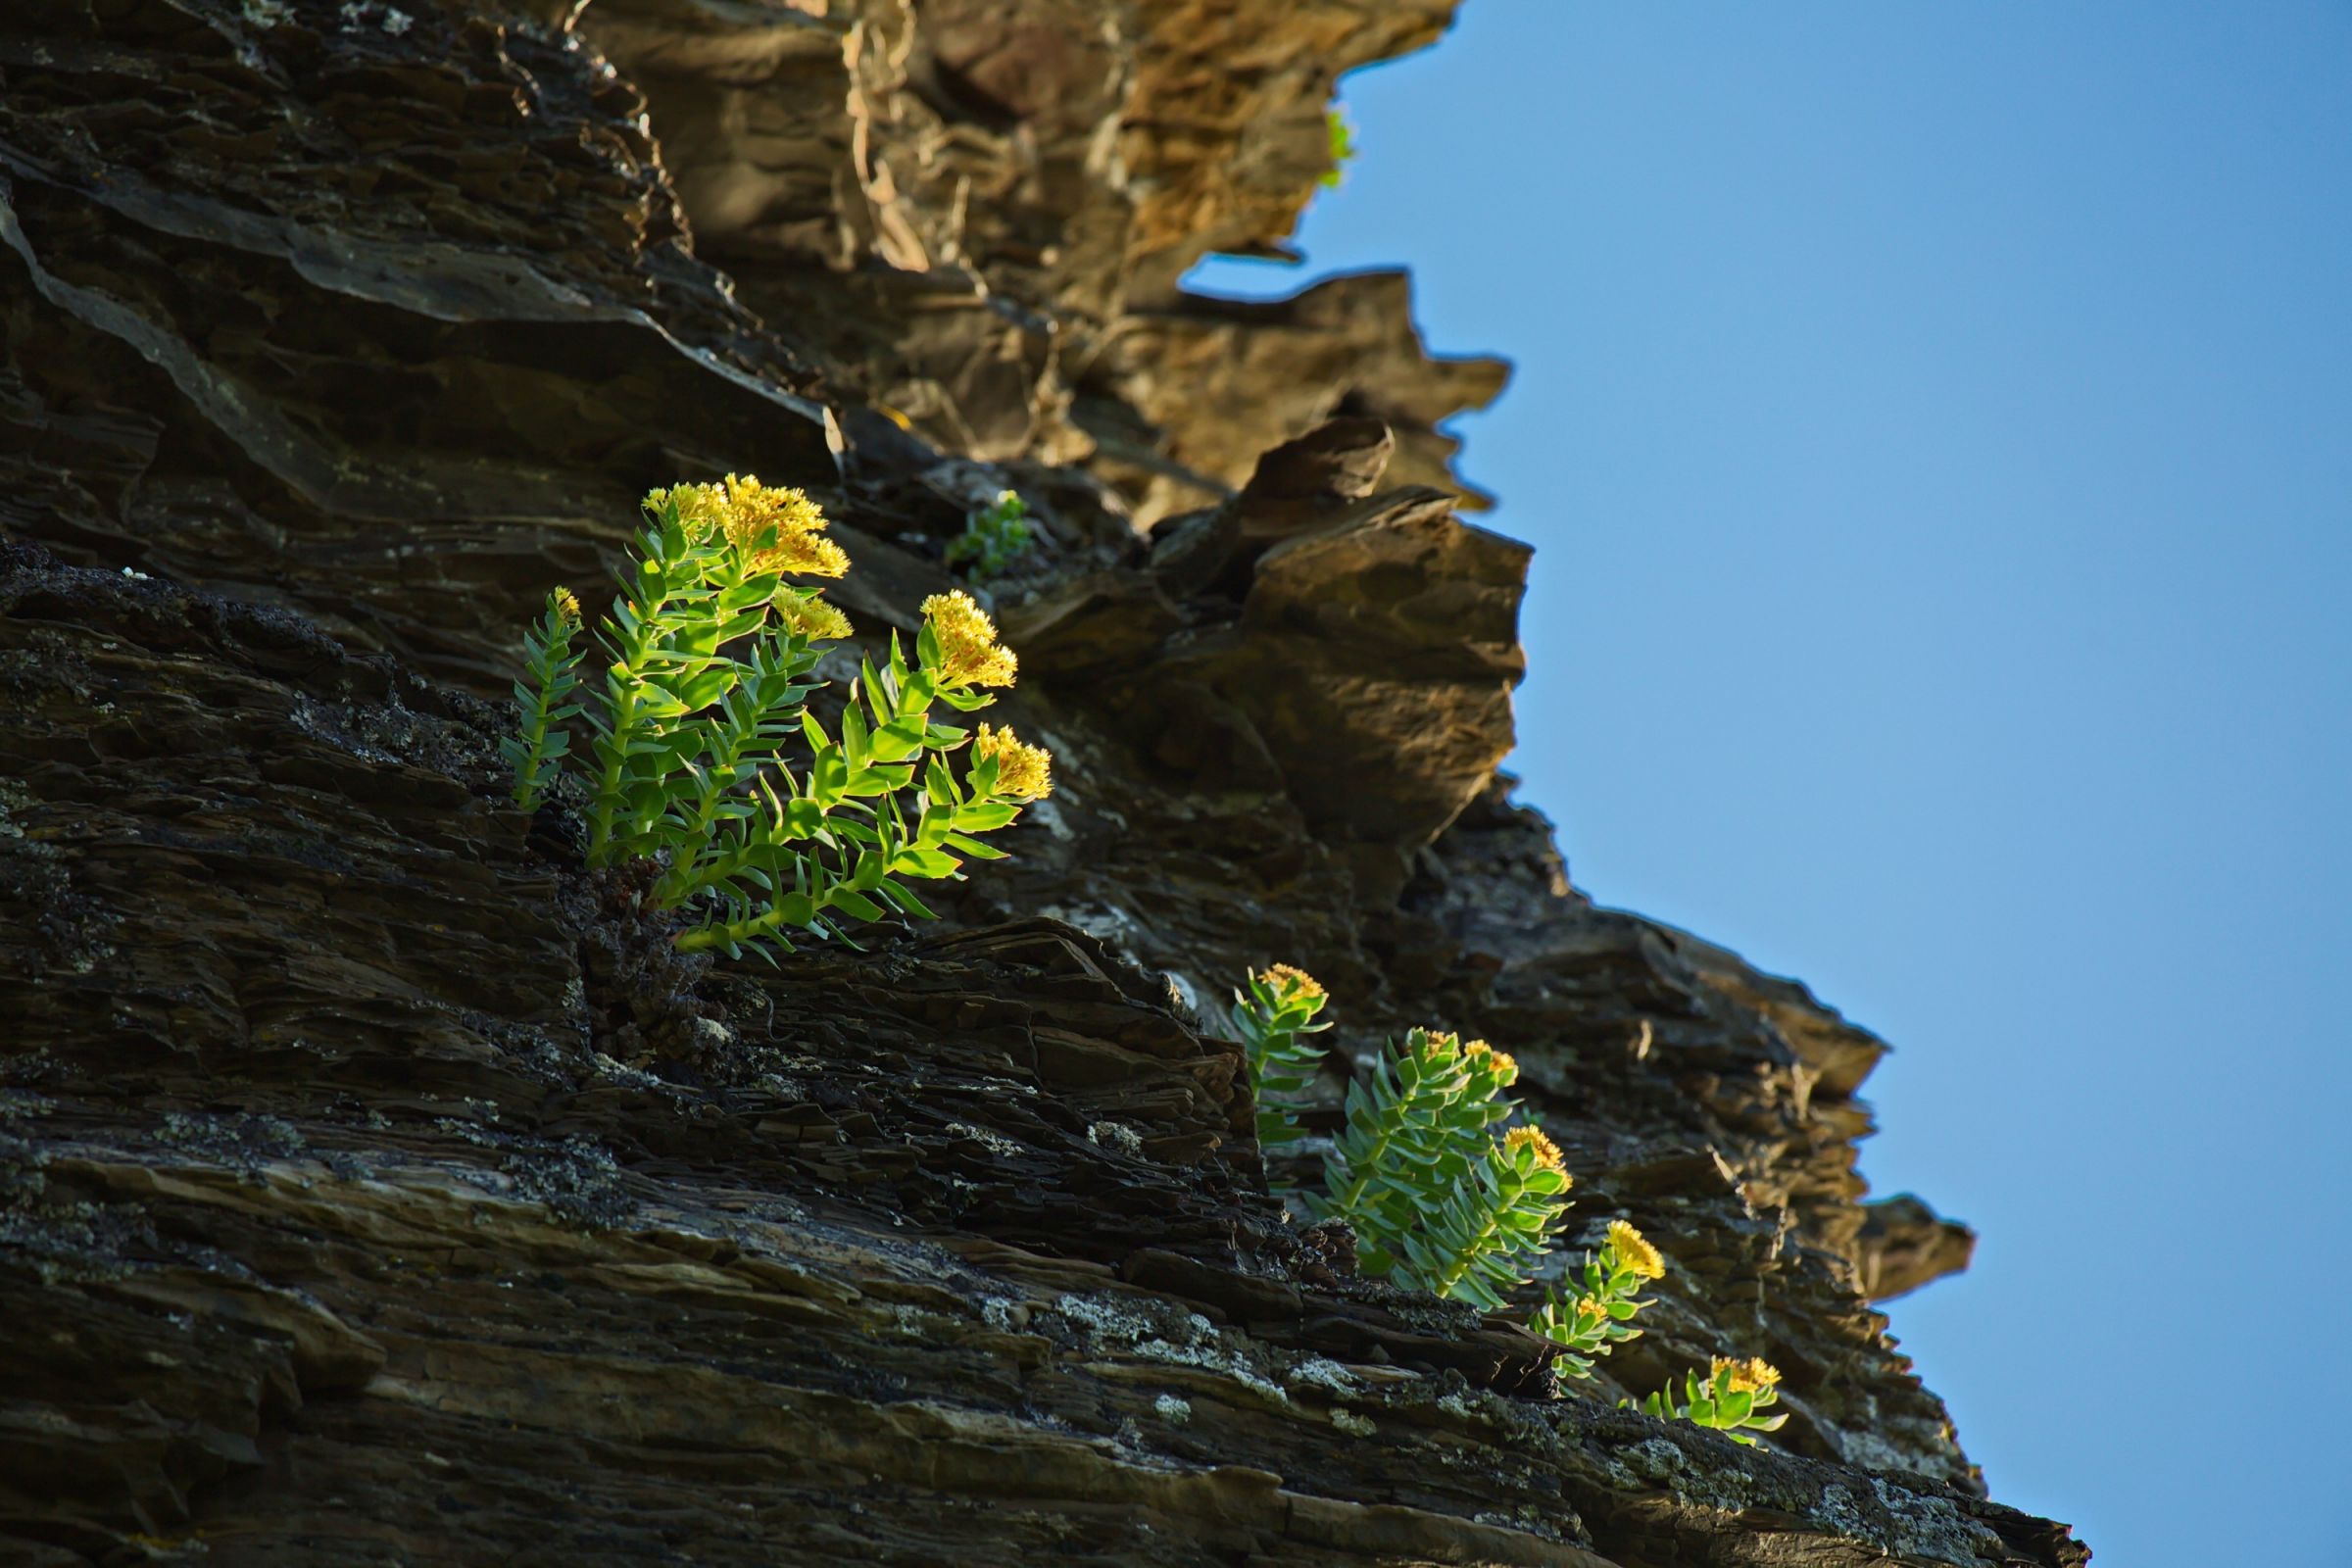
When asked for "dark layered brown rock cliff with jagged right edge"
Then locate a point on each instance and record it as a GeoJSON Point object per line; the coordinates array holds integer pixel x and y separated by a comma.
{"type": "Point", "coordinates": [382, 1188]}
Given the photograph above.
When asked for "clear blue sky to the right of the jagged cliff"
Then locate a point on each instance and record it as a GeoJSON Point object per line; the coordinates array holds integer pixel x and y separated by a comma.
{"type": "Point", "coordinates": [1937, 434]}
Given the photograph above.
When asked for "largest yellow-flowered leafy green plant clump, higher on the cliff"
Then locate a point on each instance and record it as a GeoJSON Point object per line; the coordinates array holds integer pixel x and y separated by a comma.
{"type": "Point", "coordinates": [707, 760]}
